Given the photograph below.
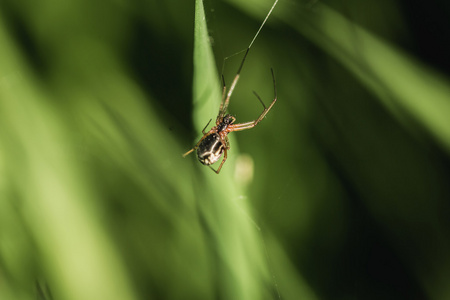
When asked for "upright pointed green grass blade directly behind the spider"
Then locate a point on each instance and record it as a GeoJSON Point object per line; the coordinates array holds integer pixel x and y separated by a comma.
{"type": "Point", "coordinates": [234, 236]}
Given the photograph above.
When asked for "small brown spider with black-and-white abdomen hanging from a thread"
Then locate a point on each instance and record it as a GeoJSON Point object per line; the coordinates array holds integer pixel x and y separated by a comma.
{"type": "Point", "coordinates": [215, 141]}
